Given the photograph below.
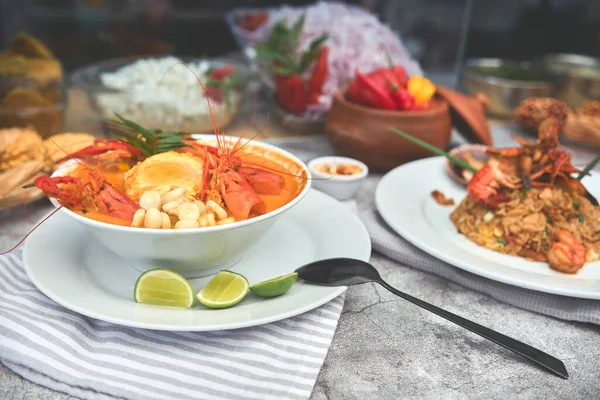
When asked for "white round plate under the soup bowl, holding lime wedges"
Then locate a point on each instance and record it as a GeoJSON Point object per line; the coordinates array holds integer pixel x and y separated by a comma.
{"type": "Point", "coordinates": [83, 276]}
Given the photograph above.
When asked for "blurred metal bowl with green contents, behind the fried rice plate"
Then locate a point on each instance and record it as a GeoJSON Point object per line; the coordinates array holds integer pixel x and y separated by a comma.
{"type": "Point", "coordinates": [507, 83]}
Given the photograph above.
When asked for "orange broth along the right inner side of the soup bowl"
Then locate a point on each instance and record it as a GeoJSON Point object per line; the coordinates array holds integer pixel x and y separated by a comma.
{"type": "Point", "coordinates": [293, 173]}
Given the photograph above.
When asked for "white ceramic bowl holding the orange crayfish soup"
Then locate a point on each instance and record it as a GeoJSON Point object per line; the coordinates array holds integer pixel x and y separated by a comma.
{"type": "Point", "coordinates": [193, 252]}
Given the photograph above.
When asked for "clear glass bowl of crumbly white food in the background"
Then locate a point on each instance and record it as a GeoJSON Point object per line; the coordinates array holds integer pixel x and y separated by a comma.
{"type": "Point", "coordinates": [164, 92]}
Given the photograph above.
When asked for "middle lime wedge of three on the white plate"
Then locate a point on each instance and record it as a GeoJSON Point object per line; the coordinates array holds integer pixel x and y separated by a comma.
{"type": "Point", "coordinates": [226, 289]}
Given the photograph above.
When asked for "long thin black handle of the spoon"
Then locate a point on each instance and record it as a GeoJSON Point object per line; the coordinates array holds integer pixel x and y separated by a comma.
{"type": "Point", "coordinates": [545, 360]}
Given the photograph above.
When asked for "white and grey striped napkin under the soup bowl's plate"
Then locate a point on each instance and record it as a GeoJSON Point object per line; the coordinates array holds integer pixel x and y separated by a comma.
{"type": "Point", "coordinates": [91, 359]}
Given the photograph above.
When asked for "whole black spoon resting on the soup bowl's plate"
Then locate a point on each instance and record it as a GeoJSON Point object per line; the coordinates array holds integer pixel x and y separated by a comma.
{"type": "Point", "coordinates": [349, 272]}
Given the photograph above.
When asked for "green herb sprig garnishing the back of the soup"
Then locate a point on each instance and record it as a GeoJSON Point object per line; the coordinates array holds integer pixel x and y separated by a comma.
{"type": "Point", "coordinates": [149, 141]}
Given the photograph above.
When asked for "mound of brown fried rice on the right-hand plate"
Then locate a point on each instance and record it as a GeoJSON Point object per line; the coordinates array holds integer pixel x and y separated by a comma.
{"type": "Point", "coordinates": [527, 224]}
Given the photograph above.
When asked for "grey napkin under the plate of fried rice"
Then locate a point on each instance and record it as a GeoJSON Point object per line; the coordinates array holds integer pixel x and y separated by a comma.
{"type": "Point", "coordinates": [387, 242]}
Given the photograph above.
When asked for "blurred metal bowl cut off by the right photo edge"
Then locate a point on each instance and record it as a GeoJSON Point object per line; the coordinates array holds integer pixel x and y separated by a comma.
{"type": "Point", "coordinates": [579, 77]}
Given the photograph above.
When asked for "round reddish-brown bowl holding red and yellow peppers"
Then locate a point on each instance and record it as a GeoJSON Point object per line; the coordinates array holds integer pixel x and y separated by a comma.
{"type": "Point", "coordinates": [362, 133]}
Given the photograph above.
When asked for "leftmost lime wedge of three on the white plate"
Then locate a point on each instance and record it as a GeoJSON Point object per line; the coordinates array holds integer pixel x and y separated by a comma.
{"type": "Point", "coordinates": [163, 287]}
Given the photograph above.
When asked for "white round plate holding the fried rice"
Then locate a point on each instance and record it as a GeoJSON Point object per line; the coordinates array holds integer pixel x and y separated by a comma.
{"type": "Point", "coordinates": [403, 198]}
